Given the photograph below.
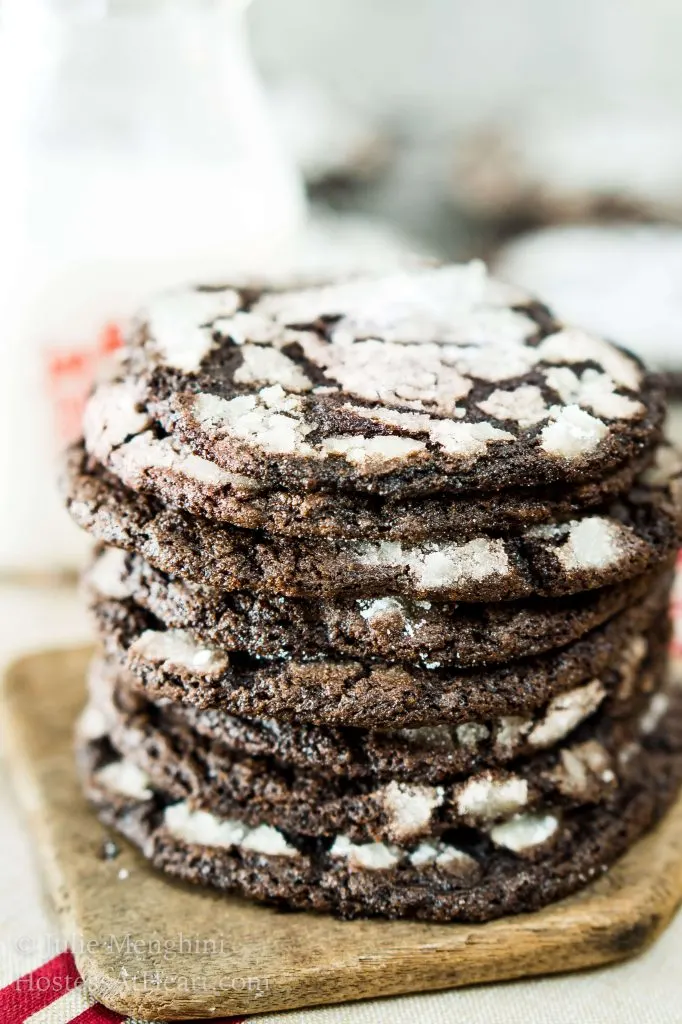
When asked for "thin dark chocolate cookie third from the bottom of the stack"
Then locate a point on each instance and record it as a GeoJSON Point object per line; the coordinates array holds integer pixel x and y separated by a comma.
{"type": "Point", "coordinates": [430, 754]}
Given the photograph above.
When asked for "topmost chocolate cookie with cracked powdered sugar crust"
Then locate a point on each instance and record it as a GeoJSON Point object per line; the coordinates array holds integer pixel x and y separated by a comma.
{"type": "Point", "coordinates": [438, 379]}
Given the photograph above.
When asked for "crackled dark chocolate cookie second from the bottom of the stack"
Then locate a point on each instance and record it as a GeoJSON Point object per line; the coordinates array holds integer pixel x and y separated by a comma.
{"type": "Point", "coordinates": [566, 773]}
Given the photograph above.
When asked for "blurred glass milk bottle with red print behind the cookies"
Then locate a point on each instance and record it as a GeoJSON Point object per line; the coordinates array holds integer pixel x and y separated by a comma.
{"type": "Point", "coordinates": [136, 154]}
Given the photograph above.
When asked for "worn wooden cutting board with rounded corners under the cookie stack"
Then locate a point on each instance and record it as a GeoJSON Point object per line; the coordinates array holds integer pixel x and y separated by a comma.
{"type": "Point", "coordinates": [159, 950]}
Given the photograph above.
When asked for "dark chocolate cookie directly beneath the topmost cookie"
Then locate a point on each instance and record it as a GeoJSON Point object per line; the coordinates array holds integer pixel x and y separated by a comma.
{"type": "Point", "coordinates": [168, 472]}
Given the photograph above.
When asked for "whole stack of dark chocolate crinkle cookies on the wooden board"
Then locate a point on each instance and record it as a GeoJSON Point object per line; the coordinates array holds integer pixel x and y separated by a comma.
{"type": "Point", "coordinates": [381, 592]}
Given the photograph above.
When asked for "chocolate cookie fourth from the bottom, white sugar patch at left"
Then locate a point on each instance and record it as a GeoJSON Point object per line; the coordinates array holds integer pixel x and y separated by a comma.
{"type": "Point", "coordinates": [368, 694]}
